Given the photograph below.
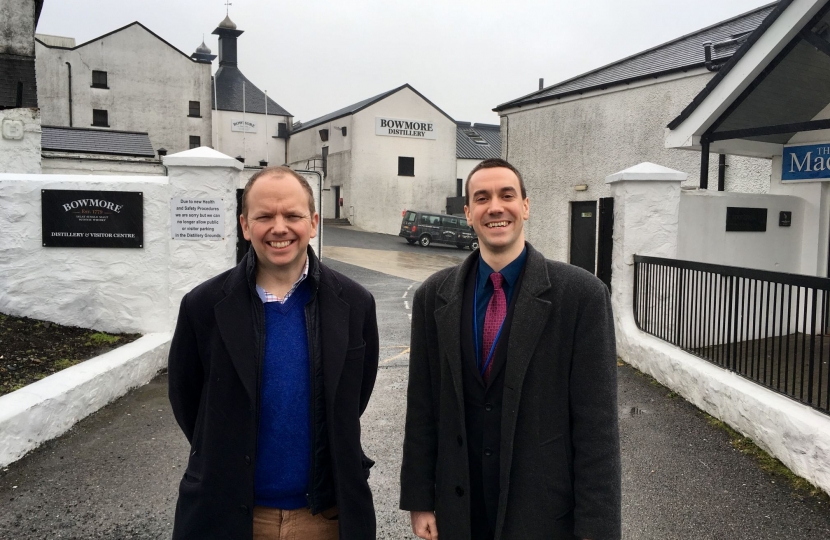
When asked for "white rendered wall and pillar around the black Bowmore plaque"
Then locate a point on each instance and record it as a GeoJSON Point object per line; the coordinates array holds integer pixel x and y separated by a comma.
{"type": "Point", "coordinates": [114, 289]}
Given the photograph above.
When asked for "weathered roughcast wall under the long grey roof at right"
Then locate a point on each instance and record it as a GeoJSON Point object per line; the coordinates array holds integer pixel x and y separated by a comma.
{"type": "Point", "coordinates": [589, 137]}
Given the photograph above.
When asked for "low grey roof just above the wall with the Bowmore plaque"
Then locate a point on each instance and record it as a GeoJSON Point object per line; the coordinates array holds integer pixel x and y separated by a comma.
{"type": "Point", "coordinates": [96, 141]}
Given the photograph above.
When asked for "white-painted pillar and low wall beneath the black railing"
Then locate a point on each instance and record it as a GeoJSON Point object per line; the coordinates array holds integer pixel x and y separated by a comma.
{"type": "Point", "coordinates": [794, 433]}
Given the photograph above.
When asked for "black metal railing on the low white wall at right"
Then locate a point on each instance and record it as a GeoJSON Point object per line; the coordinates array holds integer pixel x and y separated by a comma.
{"type": "Point", "coordinates": [769, 327]}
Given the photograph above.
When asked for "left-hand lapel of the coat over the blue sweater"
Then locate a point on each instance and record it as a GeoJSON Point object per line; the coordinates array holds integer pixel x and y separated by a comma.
{"type": "Point", "coordinates": [235, 320]}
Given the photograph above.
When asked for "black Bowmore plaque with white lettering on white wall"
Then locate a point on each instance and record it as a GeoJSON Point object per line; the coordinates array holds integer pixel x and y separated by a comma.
{"type": "Point", "coordinates": [108, 219]}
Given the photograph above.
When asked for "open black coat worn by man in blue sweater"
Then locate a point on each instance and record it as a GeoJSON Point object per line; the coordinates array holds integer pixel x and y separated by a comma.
{"type": "Point", "coordinates": [213, 371]}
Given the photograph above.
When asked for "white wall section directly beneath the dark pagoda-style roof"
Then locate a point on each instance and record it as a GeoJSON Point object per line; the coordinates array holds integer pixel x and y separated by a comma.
{"type": "Point", "coordinates": [252, 146]}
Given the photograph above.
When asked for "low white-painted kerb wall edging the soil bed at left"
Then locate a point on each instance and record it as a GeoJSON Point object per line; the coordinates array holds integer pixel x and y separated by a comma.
{"type": "Point", "coordinates": [48, 408]}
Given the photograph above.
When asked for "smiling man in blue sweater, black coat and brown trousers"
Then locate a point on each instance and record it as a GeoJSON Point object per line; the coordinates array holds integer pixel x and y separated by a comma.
{"type": "Point", "coordinates": [271, 365]}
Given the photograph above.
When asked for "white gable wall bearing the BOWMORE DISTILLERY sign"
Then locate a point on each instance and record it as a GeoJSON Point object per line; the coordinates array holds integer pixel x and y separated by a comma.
{"type": "Point", "coordinates": [376, 192]}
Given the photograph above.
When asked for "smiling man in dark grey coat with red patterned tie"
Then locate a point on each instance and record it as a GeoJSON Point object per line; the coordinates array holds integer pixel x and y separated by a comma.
{"type": "Point", "coordinates": [511, 423]}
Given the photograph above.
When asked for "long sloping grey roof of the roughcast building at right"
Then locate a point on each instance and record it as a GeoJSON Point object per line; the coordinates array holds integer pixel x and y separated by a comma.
{"type": "Point", "coordinates": [682, 53]}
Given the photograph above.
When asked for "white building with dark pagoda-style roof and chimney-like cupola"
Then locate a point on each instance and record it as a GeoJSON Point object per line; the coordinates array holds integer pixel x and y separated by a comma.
{"type": "Point", "coordinates": [248, 124]}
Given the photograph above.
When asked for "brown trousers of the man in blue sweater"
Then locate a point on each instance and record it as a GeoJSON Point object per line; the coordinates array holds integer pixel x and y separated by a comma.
{"type": "Point", "coordinates": [276, 524]}
